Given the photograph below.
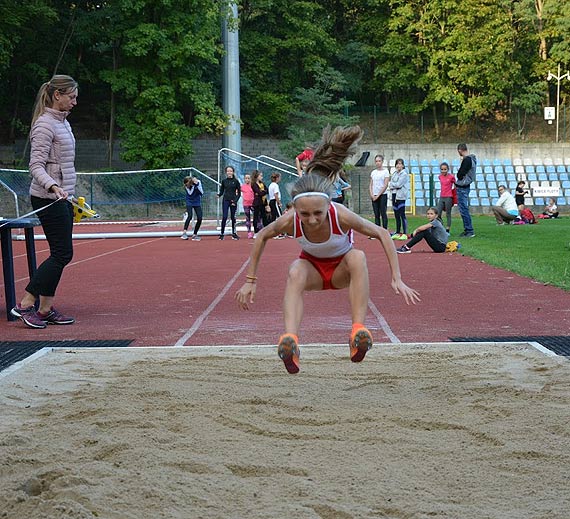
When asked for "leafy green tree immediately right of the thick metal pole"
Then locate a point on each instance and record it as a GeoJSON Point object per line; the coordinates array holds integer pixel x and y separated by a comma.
{"type": "Point", "coordinates": [279, 43]}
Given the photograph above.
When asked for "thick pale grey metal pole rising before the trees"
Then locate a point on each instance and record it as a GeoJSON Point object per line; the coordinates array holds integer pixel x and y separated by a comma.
{"type": "Point", "coordinates": [230, 78]}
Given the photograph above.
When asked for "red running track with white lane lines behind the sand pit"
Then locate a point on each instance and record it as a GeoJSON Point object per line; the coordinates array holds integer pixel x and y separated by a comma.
{"type": "Point", "coordinates": [166, 292]}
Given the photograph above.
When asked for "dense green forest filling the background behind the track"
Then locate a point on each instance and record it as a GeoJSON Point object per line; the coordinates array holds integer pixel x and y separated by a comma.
{"type": "Point", "coordinates": [150, 70]}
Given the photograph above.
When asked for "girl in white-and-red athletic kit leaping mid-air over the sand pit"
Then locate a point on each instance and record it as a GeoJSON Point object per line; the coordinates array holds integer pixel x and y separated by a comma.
{"type": "Point", "coordinates": [328, 260]}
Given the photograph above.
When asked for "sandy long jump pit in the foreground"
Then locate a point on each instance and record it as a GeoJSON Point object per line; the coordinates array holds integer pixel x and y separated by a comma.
{"type": "Point", "coordinates": [420, 431]}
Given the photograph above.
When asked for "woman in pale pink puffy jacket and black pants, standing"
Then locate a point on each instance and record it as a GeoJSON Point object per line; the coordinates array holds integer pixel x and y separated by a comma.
{"type": "Point", "coordinates": [52, 169]}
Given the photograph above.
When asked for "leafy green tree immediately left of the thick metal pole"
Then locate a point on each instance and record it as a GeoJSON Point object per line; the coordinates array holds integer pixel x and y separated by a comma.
{"type": "Point", "coordinates": [164, 51]}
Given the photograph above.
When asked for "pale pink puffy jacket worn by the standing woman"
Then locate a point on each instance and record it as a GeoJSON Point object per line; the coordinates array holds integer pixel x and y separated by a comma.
{"type": "Point", "coordinates": [52, 156]}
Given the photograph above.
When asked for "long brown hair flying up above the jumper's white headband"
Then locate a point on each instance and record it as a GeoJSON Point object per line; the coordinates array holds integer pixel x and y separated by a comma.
{"type": "Point", "coordinates": [336, 146]}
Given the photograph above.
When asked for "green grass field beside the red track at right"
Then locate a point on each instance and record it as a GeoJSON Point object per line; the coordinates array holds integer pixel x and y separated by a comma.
{"type": "Point", "coordinates": [540, 252]}
